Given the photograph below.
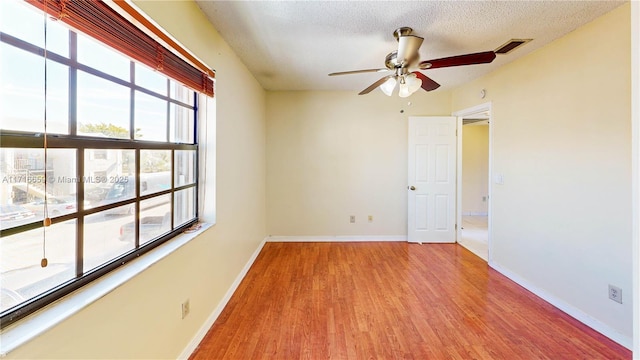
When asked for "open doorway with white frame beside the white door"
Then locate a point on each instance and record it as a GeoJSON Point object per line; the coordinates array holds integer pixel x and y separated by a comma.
{"type": "Point", "coordinates": [474, 173]}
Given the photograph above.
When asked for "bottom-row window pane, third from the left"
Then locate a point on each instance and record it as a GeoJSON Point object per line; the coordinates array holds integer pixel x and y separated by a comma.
{"type": "Point", "coordinates": [155, 219]}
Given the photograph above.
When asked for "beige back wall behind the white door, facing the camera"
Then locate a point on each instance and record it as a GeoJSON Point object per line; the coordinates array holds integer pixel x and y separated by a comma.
{"type": "Point", "coordinates": [335, 154]}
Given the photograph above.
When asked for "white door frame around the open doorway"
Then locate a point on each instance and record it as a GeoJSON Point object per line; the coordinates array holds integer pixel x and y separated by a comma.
{"type": "Point", "coordinates": [460, 114]}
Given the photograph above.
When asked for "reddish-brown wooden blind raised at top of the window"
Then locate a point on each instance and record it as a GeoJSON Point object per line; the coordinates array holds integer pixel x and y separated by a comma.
{"type": "Point", "coordinates": [100, 21]}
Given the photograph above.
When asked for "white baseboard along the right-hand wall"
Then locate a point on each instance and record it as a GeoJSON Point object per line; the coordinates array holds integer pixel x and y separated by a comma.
{"type": "Point", "coordinates": [567, 308]}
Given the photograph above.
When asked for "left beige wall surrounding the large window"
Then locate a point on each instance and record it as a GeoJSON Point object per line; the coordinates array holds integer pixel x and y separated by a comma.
{"type": "Point", "coordinates": [142, 319]}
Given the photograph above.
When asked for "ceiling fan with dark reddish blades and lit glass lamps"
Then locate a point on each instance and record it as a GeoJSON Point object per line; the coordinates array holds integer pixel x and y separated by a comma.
{"type": "Point", "coordinates": [406, 57]}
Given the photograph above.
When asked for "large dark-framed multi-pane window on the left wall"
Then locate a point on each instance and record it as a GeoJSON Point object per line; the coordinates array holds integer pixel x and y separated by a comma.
{"type": "Point", "coordinates": [120, 171]}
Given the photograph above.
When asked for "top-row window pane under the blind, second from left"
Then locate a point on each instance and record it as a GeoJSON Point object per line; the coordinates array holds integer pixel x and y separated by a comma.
{"type": "Point", "coordinates": [103, 58]}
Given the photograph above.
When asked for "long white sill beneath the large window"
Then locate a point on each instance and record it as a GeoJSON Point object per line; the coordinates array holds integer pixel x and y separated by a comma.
{"type": "Point", "coordinates": [39, 322]}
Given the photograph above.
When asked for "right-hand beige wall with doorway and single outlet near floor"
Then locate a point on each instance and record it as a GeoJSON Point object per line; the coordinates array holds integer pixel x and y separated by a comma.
{"type": "Point", "coordinates": [562, 140]}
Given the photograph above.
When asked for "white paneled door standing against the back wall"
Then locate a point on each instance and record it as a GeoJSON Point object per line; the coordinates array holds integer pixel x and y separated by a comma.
{"type": "Point", "coordinates": [432, 180]}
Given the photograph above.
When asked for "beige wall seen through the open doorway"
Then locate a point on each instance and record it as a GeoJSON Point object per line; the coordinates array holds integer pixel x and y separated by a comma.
{"type": "Point", "coordinates": [475, 169]}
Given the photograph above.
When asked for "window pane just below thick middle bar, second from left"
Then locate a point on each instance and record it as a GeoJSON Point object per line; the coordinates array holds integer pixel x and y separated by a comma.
{"type": "Point", "coordinates": [109, 178]}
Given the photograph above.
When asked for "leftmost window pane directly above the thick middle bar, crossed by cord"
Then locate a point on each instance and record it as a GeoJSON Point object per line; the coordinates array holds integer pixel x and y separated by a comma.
{"type": "Point", "coordinates": [22, 92]}
